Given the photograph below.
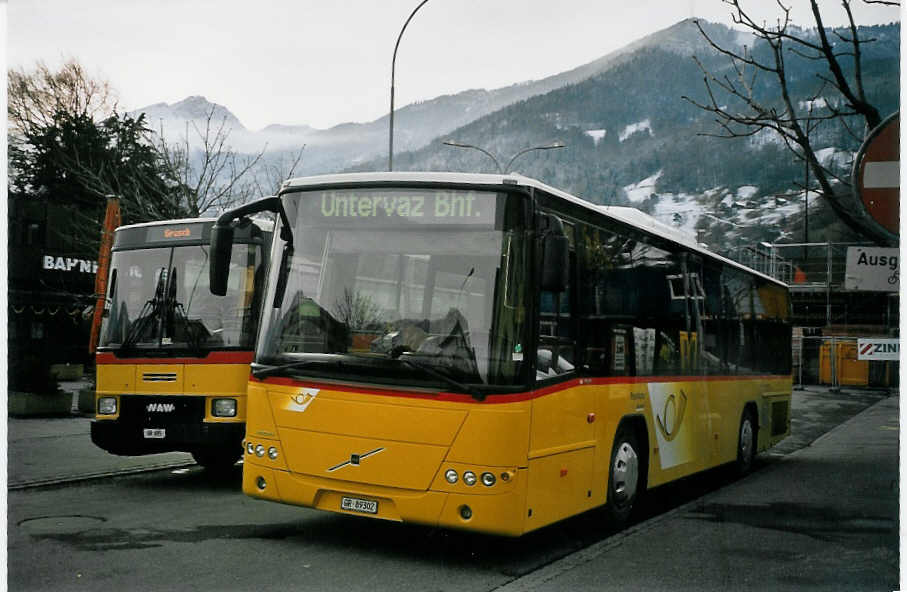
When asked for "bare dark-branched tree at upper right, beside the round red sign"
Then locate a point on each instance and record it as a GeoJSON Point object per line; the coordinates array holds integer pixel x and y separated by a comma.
{"type": "Point", "coordinates": [838, 98]}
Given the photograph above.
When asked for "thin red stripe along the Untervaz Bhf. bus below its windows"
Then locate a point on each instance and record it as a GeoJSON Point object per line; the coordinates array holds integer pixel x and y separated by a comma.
{"type": "Point", "coordinates": [512, 397]}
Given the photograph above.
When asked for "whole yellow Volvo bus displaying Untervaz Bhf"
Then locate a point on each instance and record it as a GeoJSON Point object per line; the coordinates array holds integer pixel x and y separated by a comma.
{"type": "Point", "coordinates": [486, 352]}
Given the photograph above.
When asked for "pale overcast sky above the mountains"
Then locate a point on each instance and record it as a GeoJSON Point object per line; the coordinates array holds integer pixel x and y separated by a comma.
{"type": "Point", "coordinates": [326, 62]}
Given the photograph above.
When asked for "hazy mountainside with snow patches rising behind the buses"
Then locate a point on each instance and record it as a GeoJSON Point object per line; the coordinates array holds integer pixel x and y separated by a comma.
{"type": "Point", "coordinates": [631, 139]}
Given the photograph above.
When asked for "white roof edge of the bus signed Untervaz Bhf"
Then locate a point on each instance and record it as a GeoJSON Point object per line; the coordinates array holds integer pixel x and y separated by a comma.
{"type": "Point", "coordinates": [630, 216]}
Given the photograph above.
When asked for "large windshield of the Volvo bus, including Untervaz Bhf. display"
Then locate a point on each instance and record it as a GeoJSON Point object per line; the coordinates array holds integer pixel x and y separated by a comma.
{"type": "Point", "coordinates": [410, 286]}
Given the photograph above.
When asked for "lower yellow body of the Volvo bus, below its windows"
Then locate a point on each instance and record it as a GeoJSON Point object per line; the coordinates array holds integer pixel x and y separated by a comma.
{"type": "Point", "coordinates": [549, 451]}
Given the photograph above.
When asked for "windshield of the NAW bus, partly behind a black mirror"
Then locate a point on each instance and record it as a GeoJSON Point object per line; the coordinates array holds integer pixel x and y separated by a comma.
{"type": "Point", "coordinates": [159, 299]}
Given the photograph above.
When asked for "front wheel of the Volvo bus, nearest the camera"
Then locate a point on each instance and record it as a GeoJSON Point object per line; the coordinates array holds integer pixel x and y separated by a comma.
{"type": "Point", "coordinates": [624, 475]}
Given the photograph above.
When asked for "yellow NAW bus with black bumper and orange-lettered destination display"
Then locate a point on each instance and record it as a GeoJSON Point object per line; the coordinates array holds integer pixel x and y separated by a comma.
{"type": "Point", "coordinates": [173, 360]}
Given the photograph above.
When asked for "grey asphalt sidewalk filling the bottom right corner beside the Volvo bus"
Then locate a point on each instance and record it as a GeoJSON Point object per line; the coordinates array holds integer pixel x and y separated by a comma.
{"type": "Point", "coordinates": [824, 517]}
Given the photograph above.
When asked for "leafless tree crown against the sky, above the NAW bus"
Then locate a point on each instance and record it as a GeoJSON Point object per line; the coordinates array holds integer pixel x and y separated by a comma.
{"type": "Point", "coordinates": [210, 173]}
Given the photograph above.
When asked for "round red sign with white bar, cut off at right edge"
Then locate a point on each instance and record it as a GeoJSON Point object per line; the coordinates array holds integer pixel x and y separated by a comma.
{"type": "Point", "coordinates": [876, 177]}
